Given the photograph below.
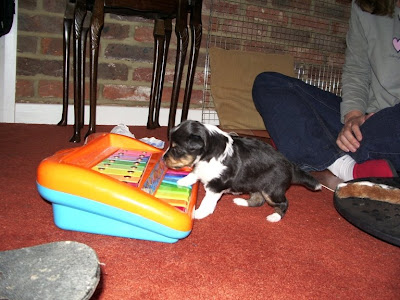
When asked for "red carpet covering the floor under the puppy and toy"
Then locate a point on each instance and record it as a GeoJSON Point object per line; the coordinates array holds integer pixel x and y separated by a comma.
{"type": "Point", "coordinates": [235, 253]}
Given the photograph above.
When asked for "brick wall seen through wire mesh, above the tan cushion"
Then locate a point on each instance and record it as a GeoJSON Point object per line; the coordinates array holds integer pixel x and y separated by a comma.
{"type": "Point", "coordinates": [313, 31]}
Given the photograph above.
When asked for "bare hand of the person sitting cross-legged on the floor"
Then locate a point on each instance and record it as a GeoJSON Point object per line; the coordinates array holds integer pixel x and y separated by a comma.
{"type": "Point", "coordinates": [350, 136]}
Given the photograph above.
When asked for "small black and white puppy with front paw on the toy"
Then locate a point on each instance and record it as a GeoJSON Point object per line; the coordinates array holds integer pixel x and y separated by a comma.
{"type": "Point", "coordinates": [232, 164]}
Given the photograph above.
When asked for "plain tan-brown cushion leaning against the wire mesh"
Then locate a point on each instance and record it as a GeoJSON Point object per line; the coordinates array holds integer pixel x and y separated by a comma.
{"type": "Point", "coordinates": [232, 77]}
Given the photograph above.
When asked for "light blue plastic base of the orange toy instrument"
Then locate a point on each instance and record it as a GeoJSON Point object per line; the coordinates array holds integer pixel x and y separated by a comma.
{"type": "Point", "coordinates": [81, 214]}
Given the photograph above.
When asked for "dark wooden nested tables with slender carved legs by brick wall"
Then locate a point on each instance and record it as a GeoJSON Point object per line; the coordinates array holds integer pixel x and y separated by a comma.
{"type": "Point", "coordinates": [163, 12]}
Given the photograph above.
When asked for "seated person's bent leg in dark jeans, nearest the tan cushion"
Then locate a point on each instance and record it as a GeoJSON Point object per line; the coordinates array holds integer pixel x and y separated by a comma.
{"type": "Point", "coordinates": [302, 120]}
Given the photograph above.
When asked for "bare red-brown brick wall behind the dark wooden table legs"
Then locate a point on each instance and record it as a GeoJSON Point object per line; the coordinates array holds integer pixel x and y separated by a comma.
{"type": "Point", "coordinates": [125, 60]}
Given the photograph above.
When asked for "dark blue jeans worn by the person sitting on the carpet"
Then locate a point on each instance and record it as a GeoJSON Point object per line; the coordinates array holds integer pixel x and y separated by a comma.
{"type": "Point", "coordinates": [304, 123]}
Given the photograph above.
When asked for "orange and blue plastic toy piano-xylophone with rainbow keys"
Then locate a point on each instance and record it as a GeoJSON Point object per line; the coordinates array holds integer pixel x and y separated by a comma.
{"type": "Point", "coordinates": [117, 185]}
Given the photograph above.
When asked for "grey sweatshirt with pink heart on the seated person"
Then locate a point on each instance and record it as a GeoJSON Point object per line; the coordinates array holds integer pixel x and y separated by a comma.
{"type": "Point", "coordinates": [371, 73]}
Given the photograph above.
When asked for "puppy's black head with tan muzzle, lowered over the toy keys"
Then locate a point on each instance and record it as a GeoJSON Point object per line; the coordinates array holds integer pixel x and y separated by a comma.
{"type": "Point", "coordinates": [187, 144]}
